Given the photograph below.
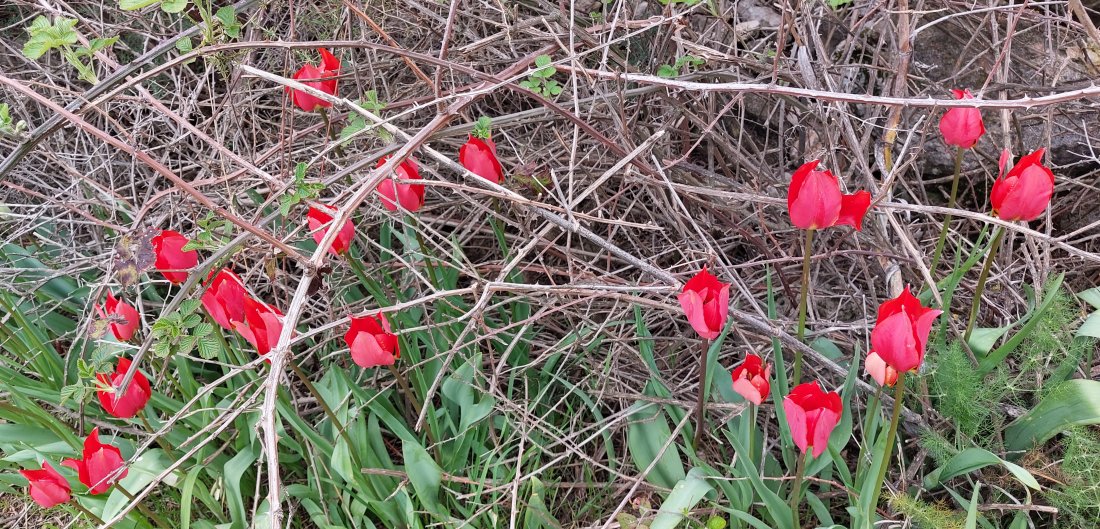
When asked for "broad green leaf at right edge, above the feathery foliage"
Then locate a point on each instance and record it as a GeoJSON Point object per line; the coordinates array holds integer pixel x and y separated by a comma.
{"type": "Point", "coordinates": [1073, 403]}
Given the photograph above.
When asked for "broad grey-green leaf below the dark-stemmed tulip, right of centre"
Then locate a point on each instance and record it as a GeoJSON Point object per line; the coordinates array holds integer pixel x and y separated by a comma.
{"type": "Point", "coordinates": [646, 436]}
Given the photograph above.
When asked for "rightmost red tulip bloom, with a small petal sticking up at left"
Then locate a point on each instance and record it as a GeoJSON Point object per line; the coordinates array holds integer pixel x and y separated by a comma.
{"type": "Point", "coordinates": [1026, 192]}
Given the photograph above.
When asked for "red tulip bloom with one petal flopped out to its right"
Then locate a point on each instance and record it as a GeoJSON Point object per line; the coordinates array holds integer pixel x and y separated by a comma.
{"type": "Point", "coordinates": [815, 201]}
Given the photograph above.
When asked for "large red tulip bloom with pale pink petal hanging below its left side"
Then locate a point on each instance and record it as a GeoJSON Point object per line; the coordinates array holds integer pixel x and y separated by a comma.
{"type": "Point", "coordinates": [901, 332]}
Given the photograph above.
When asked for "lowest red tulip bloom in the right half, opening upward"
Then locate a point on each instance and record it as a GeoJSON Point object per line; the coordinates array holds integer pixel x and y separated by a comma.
{"type": "Point", "coordinates": [812, 415]}
